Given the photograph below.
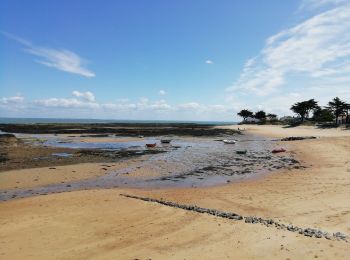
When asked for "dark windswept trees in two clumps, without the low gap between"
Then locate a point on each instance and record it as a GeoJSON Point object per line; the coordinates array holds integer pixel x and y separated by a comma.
{"type": "Point", "coordinates": [335, 108]}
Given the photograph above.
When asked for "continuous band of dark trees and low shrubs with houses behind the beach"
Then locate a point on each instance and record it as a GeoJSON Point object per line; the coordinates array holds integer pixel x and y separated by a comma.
{"type": "Point", "coordinates": [336, 112]}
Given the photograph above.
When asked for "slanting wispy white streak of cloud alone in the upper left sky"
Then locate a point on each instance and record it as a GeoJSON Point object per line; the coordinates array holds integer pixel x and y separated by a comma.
{"type": "Point", "coordinates": [60, 59]}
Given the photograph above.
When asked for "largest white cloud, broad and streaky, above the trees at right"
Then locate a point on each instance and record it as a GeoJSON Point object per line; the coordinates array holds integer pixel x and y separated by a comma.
{"type": "Point", "coordinates": [314, 49]}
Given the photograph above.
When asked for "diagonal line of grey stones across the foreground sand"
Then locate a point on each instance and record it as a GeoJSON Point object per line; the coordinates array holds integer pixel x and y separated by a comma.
{"type": "Point", "coordinates": [309, 232]}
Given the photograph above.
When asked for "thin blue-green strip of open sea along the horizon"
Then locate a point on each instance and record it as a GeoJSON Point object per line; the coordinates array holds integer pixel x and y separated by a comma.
{"type": "Point", "coordinates": [5, 120]}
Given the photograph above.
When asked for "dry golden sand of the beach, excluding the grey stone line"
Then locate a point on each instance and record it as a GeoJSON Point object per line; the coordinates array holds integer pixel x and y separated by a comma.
{"type": "Point", "coordinates": [100, 224]}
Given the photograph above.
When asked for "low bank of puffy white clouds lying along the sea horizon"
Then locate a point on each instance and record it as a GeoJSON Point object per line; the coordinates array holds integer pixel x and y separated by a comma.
{"type": "Point", "coordinates": [123, 108]}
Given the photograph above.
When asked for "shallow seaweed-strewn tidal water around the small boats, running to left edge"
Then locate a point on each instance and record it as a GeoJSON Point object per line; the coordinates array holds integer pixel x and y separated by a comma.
{"type": "Point", "coordinates": [195, 162]}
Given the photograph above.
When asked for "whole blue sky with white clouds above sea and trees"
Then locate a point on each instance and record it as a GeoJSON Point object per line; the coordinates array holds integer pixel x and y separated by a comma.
{"type": "Point", "coordinates": [170, 60]}
